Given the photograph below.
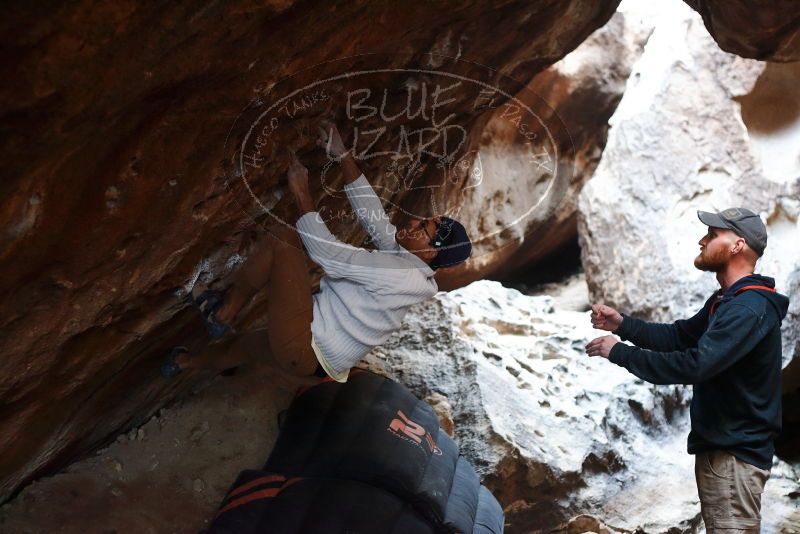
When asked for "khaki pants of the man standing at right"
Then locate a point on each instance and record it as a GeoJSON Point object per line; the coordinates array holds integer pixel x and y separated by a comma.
{"type": "Point", "coordinates": [730, 493]}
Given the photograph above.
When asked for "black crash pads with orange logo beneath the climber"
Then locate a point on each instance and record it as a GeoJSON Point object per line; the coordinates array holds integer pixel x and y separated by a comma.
{"type": "Point", "coordinates": [361, 456]}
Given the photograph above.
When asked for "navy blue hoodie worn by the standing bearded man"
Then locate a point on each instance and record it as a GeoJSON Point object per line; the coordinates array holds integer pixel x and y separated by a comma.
{"type": "Point", "coordinates": [731, 352]}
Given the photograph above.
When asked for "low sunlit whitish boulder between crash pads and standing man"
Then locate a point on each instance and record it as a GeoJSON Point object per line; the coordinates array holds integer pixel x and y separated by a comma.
{"type": "Point", "coordinates": [554, 433]}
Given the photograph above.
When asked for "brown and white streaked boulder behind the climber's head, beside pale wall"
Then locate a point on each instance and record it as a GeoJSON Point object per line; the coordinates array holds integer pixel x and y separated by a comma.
{"type": "Point", "coordinates": [524, 206]}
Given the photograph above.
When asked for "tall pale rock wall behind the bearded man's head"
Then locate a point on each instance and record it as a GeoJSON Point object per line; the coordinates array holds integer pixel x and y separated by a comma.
{"type": "Point", "coordinates": [694, 131]}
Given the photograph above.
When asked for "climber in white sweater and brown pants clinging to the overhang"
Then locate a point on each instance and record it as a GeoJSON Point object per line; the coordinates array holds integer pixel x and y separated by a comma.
{"type": "Point", "coordinates": [363, 295]}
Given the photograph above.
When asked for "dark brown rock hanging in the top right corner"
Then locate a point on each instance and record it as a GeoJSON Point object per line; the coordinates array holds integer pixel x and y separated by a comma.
{"type": "Point", "coordinates": [756, 29]}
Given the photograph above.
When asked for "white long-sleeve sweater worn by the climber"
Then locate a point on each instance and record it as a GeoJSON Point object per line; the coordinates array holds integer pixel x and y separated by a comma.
{"type": "Point", "coordinates": [365, 294]}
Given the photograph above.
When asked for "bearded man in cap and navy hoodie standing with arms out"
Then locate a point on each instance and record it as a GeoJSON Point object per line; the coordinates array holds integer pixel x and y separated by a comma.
{"type": "Point", "coordinates": [730, 351]}
